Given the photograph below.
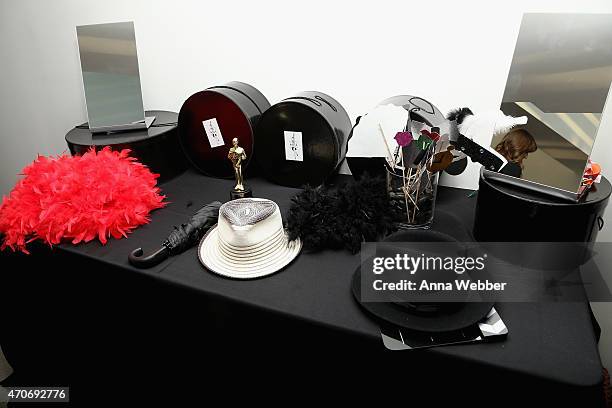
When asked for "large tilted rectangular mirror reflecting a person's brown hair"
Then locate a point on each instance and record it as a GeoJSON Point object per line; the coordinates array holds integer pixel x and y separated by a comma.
{"type": "Point", "coordinates": [559, 79]}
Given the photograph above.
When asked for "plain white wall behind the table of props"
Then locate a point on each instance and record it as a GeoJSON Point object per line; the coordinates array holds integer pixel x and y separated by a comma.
{"type": "Point", "coordinates": [360, 52]}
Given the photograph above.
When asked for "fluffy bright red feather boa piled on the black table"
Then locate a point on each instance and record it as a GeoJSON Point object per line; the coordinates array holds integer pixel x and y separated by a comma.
{"type": "Point", "coordinates": [99, 194]}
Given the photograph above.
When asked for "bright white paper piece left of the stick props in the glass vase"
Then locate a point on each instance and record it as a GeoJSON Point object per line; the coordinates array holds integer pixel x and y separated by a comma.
{"type": "Point", "coordinates": [367, 140]}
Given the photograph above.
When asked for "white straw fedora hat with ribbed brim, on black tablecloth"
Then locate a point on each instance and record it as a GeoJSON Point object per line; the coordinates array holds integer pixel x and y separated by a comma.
{"type": "Point", "coordinates": [249, 240]}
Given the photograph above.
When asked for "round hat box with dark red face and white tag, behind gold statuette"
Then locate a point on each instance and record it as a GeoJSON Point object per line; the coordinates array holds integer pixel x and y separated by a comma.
{"type": "Point", "coordinates": [210, 119]}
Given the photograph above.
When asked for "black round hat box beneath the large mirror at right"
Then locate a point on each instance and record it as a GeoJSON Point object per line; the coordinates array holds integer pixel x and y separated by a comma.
{"type": "Point", "coordinates": [507, 213]}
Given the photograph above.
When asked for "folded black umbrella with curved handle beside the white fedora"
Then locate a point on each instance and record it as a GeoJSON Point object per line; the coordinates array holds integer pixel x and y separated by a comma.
{"type": "Point", "coordinates": [181, 239]}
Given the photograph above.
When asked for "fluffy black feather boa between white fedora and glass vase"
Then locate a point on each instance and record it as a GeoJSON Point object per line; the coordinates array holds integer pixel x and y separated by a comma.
{"type": "Point", "coordinates": [341, 217]}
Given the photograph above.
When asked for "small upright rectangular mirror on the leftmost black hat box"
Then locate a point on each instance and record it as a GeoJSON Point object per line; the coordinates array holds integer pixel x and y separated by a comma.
{"type": "Point", "coordinates": [111, 79]}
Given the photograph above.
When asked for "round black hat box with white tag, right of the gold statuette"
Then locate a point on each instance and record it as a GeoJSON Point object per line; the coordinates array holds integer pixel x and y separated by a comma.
{"type": "Point", "coordinates": [302, 139]}
